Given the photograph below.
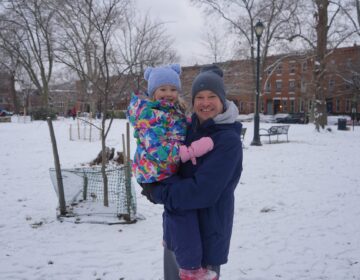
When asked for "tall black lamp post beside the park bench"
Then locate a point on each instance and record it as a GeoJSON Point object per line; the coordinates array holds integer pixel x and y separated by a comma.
{"type": "Point", "coordinates": [259, 28]}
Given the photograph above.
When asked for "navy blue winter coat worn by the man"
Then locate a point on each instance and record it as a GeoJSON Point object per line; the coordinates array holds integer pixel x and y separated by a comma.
{"type": "Point", "coordinates": [208, 187]}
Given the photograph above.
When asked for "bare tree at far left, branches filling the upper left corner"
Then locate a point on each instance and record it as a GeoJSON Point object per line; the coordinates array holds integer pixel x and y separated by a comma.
{"type": "Point", "coordinates": [26, 32]}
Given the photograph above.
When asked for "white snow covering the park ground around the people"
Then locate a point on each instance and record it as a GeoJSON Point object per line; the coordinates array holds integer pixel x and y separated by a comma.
{"type": "Point", "coordinates": [296, 213]}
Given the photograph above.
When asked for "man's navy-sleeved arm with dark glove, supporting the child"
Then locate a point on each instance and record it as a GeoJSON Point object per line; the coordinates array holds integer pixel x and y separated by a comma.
{"type": "Point", "coordinates": [210, 179]}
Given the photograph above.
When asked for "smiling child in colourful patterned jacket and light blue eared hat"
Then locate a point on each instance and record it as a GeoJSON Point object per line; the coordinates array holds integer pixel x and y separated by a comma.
{"type": "Point", "coordinates": [160, 129]}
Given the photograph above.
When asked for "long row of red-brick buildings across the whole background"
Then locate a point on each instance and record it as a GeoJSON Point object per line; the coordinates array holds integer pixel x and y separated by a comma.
{"type": "Point", "coordinates": [286, 86]}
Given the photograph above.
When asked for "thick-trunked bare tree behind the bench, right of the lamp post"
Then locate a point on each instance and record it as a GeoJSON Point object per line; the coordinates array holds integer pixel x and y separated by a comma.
{"type": "Point", "coordinates": [324, 31]}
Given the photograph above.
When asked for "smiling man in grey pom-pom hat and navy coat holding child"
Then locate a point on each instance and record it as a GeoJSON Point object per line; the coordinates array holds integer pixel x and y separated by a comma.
{"type": "Point", "coordinates": [209, 185]}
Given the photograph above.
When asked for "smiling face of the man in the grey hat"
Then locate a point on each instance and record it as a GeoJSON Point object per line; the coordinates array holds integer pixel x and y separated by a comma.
{"type": "Point", "coordinates": [207, 105]}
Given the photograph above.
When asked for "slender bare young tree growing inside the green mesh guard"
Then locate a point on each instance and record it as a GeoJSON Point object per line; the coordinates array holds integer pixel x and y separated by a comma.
{"type": "Point", "coordinates": [86, 46]}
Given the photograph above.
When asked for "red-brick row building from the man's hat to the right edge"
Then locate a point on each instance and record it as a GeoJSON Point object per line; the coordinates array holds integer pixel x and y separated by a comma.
{"type": "Point", "coordinates": [286, 84]}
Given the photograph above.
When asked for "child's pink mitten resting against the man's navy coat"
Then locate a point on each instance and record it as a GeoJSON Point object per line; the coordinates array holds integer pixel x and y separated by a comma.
{"type": "Point", "coordinates": [197, 149]}
